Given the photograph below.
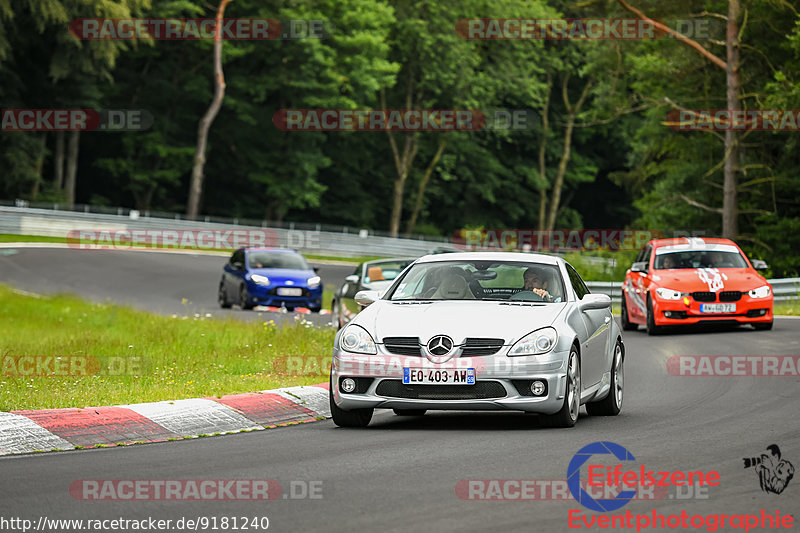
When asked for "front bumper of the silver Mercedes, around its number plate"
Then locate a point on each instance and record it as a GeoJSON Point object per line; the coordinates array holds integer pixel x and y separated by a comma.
{"type": "Point", "coordinates": [378, 377]}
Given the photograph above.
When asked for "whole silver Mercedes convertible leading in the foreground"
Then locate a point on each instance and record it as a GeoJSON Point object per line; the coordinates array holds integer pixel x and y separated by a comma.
{"type": "Point", "coordinates": [473, 331]}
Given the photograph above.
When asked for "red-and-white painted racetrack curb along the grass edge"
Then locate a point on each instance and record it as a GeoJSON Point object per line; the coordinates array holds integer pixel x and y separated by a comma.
{"type": "Point", "coordinates": [97, 427]}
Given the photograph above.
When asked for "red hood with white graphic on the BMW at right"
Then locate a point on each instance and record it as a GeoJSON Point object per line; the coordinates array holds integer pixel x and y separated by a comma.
{"type": "Point", "coordinates": [709, 279]}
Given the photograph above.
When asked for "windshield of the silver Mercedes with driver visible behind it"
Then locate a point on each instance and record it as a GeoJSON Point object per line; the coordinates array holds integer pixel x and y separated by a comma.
{"type": "Point", "coordinates": [481, 280]}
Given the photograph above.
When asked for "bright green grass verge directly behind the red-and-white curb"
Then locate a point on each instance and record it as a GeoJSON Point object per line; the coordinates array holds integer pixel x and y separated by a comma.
{"type": "Point", "coordinates": [162, 358]}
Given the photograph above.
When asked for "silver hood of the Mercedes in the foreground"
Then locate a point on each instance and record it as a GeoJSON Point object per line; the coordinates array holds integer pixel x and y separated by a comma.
{"type": "Point", "coordinates": [457, 319]}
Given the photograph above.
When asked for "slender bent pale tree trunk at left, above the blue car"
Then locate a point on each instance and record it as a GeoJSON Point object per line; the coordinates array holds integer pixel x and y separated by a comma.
{"type": "Point", "coordinates": [196, 186]}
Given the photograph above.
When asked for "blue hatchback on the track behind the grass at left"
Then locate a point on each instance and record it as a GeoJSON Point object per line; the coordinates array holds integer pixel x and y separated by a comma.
{"type": "Point", "coordinates": [270, 277]}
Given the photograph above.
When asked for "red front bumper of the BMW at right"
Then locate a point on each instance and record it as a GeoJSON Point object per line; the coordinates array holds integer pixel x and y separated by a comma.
{"type": "Point", "coordinates": [677, 312]}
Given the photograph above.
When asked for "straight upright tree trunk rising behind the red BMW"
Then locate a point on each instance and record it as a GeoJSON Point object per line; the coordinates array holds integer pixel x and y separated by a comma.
{"type": "Point", "coordinates": [730, 226]}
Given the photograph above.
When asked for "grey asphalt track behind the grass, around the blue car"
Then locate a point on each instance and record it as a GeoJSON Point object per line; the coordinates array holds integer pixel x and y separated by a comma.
{"type": "Point", "coordinates": [165, 283]}
